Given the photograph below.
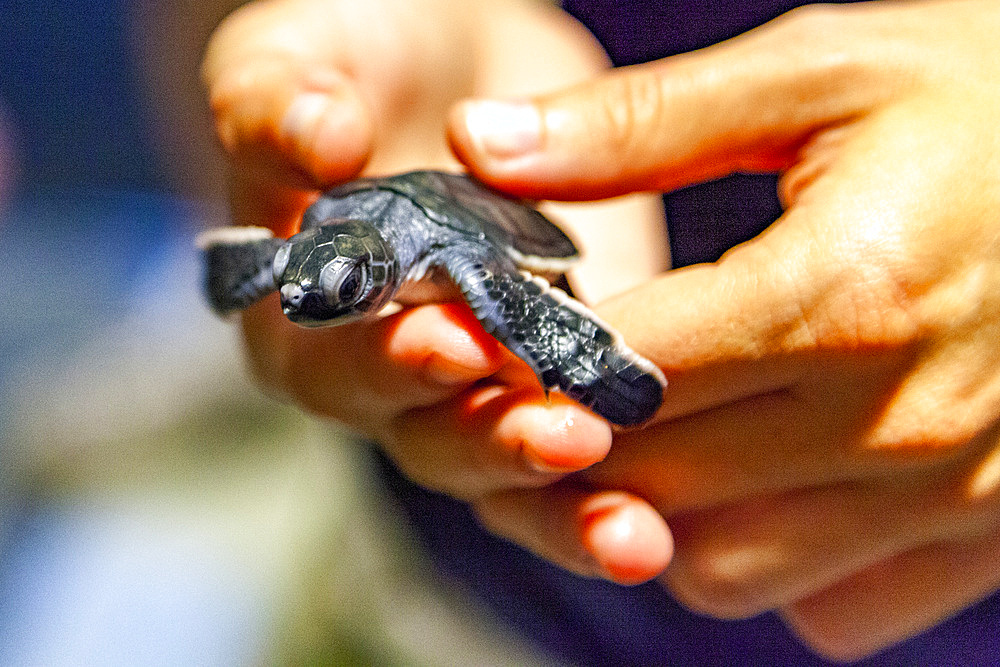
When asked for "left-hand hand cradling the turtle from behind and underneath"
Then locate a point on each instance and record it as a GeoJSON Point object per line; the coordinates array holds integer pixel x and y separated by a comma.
{"type": "Point", "coordinates": [309, 93]}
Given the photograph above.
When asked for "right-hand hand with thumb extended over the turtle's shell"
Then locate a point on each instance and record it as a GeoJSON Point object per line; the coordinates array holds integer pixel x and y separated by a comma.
{"type": "Point", "coordinates": [829, 445]}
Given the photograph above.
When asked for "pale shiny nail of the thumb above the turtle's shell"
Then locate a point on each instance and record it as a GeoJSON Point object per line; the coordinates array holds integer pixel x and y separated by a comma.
{"type": "Point", "coordinates": [503, 130]}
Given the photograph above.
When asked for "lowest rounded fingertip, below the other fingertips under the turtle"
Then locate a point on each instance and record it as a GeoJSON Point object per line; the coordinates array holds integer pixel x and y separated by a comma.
{"type": "Point", "coordinates": [629, 540]}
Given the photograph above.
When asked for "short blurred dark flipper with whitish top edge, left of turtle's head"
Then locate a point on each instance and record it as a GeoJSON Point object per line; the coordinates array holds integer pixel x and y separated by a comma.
{"type": "Point", "coordinates": [237, 266]}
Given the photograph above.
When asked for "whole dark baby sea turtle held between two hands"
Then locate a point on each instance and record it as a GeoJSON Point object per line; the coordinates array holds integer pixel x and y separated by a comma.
{"type": "Point", "coordinates": [415, 237]}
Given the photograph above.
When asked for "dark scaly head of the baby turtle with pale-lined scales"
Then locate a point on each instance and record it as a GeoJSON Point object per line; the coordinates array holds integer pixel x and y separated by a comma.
{"type": "Point", "coordinates": [335, 273]}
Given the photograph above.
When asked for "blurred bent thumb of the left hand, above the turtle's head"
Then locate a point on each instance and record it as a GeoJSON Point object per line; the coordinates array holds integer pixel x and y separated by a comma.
{"type": "Point", "coordinates": [288, 117]}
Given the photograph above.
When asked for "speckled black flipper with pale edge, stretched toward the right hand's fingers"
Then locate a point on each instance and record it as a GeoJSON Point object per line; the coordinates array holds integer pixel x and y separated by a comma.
{"type": "Point", "coordinates": [563, 341]}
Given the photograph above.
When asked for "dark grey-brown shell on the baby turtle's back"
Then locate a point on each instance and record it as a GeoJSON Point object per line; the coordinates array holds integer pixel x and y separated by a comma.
{"type": "Point", "coordinates": [459, 203]}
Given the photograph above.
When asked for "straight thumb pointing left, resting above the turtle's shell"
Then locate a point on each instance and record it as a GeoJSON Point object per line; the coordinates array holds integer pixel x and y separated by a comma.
{"type": "Point", "coordinates": [743, 105]}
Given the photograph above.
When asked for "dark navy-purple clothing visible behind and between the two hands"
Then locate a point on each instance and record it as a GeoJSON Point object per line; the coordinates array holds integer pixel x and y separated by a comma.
{"type": "Point", "coordinates": [596, 623]}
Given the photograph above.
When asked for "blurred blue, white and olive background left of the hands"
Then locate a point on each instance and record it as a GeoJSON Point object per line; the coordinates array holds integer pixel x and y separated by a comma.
{"type": "Point", "coordinates": [154, 507]}
